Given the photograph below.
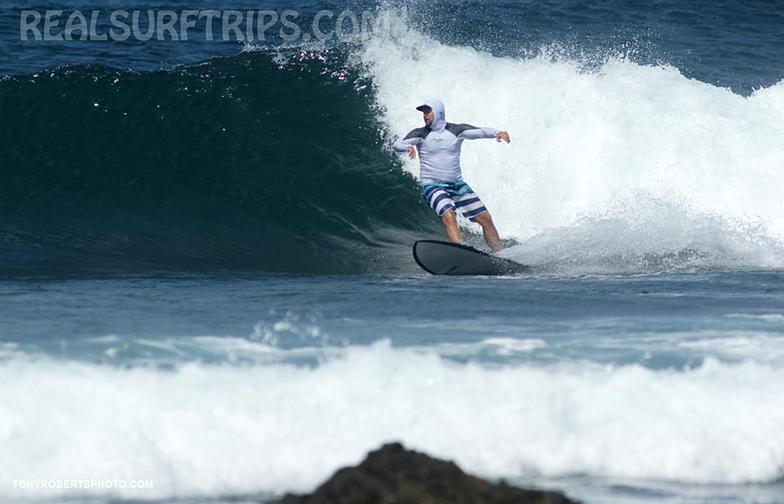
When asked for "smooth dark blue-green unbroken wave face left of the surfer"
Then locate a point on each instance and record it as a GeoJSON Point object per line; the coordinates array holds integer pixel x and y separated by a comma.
{"type": "Point", "coordinates": [251, 161]}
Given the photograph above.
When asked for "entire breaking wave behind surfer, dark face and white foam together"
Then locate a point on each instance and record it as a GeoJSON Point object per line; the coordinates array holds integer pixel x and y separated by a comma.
{"type": "Point", "coordinates": [281, 162]}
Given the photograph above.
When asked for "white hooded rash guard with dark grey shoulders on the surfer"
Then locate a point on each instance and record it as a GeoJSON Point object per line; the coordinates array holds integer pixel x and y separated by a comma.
{"type": "Point", "coordinates": [439, 145]}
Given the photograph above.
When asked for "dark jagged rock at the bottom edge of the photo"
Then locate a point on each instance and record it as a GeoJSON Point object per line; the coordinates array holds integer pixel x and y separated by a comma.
{"type": "Point", "coordinates": [393, 474]}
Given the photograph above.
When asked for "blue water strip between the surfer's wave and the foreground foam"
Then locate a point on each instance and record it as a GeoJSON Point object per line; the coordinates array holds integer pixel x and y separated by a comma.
{"type": "Point", "coordinates": [665, 321]}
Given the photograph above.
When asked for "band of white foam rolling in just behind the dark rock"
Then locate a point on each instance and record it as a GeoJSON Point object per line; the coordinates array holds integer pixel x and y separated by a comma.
{"type": "Point", "coordinates": [218, 430]}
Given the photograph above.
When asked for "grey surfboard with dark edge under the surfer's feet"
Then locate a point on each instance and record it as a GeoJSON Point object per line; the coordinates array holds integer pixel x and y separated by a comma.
{"type": "Point", "coordinates": [446, 258]}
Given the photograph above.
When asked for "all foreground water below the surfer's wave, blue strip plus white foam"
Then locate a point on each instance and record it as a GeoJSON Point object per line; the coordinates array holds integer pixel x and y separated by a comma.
{"type": "Point", "coordinates": [614, 388]}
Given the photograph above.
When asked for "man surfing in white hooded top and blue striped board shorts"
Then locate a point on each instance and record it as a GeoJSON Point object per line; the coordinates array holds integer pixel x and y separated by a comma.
{"type": "Point", "coordinates": [441, 179]}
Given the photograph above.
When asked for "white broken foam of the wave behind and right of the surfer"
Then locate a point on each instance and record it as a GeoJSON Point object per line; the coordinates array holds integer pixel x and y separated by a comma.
{"type": "Point", "coordinates": [642, 158]}
